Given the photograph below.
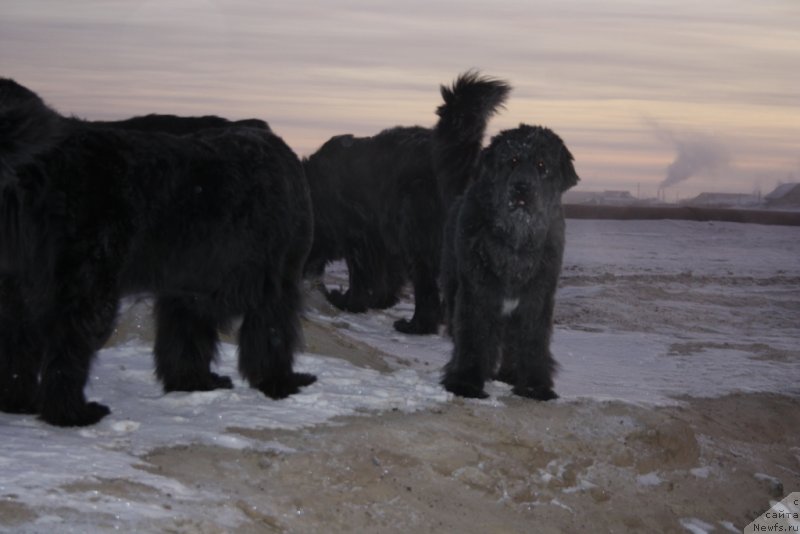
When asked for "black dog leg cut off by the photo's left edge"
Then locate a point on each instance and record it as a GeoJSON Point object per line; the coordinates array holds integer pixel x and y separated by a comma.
{"type": "Point", "coordinates": [21, 348]}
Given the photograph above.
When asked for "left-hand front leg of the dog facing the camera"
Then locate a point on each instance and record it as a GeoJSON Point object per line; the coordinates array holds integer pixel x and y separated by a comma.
{"type": "Point", "coordinates": [475, 338]}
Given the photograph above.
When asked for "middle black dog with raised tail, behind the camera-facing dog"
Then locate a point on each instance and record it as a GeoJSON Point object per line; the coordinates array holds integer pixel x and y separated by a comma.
{"type": "Point", "coordinates": [378, 205]}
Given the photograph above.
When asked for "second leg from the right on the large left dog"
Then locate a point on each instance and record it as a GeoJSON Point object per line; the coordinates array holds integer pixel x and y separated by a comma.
{"type": "Point", "coordinates": [185, 346]}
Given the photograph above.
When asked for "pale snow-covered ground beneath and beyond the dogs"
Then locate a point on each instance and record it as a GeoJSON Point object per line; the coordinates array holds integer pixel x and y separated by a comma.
{"type": "Point", "coordinates": [648, 313]}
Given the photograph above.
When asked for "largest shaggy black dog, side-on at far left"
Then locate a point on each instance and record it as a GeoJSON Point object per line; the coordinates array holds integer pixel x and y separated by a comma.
{"type": "Point", "coordinates": [215, 225]}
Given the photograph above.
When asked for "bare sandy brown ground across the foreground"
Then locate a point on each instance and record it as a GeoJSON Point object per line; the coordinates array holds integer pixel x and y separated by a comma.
{"type": "Point", "coordinates": [515, 466]}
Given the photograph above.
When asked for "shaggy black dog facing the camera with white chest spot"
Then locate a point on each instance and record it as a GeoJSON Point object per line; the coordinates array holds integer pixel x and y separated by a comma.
{"type": "Point", "coordinates": [504, 242]}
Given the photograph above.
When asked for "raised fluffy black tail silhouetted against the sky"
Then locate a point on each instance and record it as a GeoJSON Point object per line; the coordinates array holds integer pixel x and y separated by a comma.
{"type": "Point", "coordinates": [458, 136]}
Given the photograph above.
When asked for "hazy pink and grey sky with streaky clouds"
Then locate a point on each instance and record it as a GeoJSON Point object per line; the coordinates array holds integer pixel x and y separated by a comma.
{"type": "Point", "coordinates": [694, 96]}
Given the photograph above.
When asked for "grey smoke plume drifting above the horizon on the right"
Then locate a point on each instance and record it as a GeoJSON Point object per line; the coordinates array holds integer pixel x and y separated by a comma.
{"type": "Point", "coordinates": [694, 154]}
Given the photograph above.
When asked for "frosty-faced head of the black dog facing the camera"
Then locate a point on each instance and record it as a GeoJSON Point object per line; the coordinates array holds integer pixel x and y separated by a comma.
{"type": "Point", "coordinates": [529, 168]}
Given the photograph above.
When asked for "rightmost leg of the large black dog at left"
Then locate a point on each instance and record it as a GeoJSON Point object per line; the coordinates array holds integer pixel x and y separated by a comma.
{"type": "Point", "coordinates": [269, 336]}
